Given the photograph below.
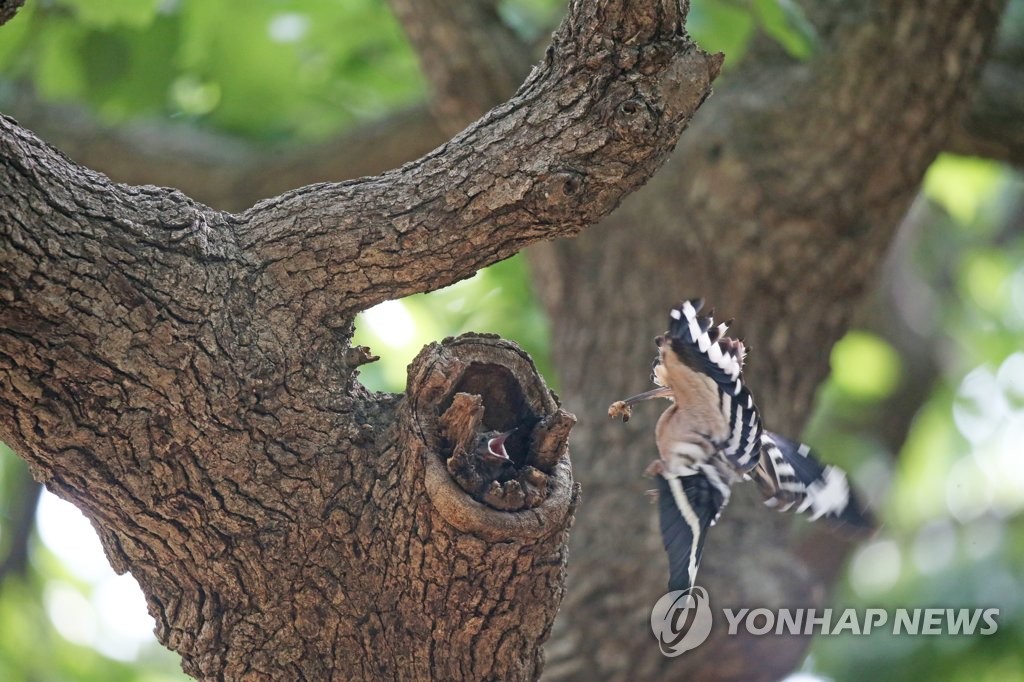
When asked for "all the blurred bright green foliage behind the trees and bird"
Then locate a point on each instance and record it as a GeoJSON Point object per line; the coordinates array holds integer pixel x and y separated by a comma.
{"type": "Point", "coordinates": [950, 349]}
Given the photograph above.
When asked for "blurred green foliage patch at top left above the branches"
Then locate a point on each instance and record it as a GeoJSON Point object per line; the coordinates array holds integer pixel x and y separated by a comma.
{"type": "Point", "coordinates": [265, 69]}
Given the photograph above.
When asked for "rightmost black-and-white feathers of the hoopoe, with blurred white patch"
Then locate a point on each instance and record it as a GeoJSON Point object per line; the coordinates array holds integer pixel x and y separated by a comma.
{"type": "Point", "coordinates": [790, 476]}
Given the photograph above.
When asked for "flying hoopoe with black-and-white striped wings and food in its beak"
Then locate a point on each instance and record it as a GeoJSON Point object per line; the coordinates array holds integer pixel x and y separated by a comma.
{"type": "Point", "coordinates": [711, 437]}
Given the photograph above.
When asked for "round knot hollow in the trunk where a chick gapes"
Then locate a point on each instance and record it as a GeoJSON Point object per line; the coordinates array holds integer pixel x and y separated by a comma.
{"type": "Point", "coordinates": [495, 439]}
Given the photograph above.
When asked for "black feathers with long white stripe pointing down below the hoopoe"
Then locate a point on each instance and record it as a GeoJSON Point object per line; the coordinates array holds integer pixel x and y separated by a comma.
{"type": "Point", "coordinates": [688, 507]}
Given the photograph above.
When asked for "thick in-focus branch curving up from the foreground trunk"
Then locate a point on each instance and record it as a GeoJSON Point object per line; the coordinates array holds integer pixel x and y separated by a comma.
{"type": "Point", "coordinates": [594, 120]}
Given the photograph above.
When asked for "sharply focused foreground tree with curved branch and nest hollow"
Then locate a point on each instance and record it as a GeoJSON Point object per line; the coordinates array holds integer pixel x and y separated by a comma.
{"type": "Point", "coordinates": [186, 376]}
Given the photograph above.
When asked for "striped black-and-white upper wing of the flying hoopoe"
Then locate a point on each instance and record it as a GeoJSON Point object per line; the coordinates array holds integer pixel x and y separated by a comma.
{"type": "Point", "coordinates": [704, 350]}
